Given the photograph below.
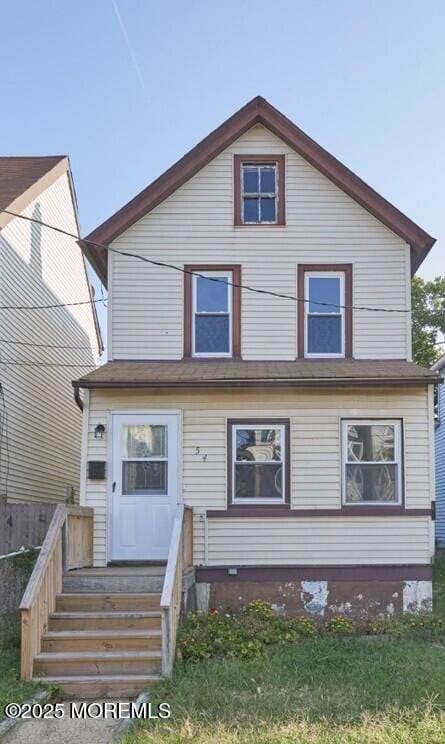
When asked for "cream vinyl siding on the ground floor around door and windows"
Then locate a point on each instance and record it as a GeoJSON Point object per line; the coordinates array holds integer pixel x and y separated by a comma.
{"type": "Point", "coordinates": [315, 417]}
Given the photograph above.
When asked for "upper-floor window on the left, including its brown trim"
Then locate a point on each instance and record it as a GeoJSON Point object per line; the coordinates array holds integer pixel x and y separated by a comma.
{"type": "Point", "coordinates": [212, 311]}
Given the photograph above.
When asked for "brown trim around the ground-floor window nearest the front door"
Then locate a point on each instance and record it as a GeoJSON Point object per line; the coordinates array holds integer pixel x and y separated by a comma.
{"type": "Point", "coordinates": [233, 508]}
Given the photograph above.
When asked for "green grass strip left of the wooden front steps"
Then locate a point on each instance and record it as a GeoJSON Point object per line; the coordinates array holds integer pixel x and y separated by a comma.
{"type": "Point", "coordinates": [12, 688]}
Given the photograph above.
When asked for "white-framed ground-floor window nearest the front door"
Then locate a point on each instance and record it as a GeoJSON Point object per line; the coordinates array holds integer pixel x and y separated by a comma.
{"type": "Point", "coordinates": [259, 462]}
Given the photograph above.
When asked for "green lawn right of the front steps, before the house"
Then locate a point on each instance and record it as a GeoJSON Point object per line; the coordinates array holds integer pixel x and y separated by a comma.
{"type": "Point", "coordinates": [322, 691]}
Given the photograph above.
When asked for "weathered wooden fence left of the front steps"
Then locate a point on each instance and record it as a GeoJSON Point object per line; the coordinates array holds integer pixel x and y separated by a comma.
{"type": "Point", "coordinates": [23, 524]}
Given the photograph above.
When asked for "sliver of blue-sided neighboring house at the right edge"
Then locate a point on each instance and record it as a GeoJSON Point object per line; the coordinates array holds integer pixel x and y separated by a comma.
{"type": "Point", "coordinates": [439, 411]}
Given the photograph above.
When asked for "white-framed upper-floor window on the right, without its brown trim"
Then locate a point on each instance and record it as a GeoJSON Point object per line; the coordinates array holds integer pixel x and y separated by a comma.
{"type": "Point", "coordinates": [324, 314]}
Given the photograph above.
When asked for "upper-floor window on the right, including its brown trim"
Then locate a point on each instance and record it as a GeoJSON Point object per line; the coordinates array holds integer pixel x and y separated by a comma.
{"type": "Point", "coordinates": [325, 314]}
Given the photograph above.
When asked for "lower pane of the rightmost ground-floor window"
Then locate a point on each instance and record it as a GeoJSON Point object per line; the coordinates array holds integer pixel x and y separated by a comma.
{"type": "Point", "coordinates": [371, 483]}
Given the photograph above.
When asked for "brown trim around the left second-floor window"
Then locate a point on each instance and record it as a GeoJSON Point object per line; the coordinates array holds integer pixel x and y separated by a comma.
{"type": "Point", "coordinates": [236, 306]}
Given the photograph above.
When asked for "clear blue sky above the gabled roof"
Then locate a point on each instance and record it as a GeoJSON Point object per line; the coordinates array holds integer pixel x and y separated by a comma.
{"type": "Point", "coordinates": [125, 87]}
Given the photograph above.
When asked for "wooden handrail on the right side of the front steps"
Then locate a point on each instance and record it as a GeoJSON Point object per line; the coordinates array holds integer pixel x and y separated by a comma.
{"type": "Point", "coordinates": [180, 554]}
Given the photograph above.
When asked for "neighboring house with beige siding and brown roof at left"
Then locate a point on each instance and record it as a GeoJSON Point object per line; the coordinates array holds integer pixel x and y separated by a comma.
{"type": "Point", "coordinates": [41, 349]}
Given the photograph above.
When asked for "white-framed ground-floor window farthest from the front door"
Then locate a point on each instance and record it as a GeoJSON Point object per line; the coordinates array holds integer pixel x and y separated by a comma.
{"type": "Point", "coordinates": [372, 462]}
